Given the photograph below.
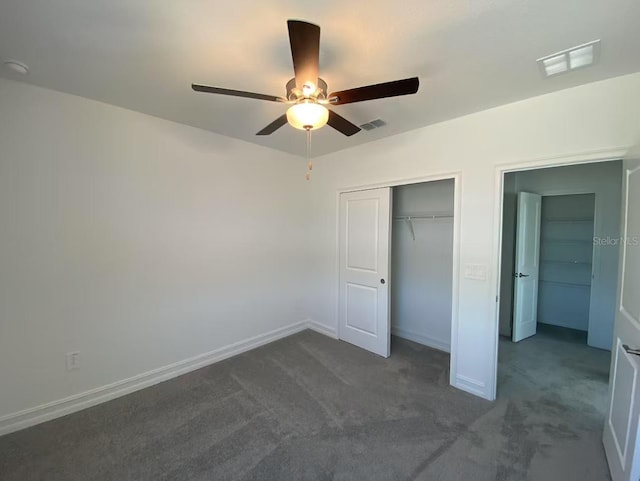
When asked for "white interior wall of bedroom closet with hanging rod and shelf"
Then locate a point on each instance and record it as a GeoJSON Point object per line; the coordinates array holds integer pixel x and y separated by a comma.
{"type": "Point", "coordinates": [422, 267]}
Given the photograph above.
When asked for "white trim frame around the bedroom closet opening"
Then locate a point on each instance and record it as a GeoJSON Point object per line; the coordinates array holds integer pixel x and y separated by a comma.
{"type": "Point", "coordinates": [455, 291]}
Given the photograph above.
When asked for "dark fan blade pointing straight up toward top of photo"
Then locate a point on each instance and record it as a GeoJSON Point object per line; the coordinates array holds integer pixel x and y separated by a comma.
{"type": "Point", "coordinates": [304, 39]}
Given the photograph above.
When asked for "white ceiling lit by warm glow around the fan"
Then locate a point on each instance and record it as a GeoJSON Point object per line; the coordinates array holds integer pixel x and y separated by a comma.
{"type": "Point", "coordinates": [469, 54]}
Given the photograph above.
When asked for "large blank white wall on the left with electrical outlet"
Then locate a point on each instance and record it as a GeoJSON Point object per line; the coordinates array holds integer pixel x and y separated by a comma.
{"type": "Point", "coordinates": [139, 242]}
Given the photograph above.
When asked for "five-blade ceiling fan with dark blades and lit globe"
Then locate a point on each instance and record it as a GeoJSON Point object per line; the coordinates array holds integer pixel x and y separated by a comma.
{"type": "Point", "coordinates": [308, 93]}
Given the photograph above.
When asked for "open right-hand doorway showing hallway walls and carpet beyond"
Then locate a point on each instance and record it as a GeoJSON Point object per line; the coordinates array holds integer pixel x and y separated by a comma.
{"type": "Point", "coordinates": [577, 278]}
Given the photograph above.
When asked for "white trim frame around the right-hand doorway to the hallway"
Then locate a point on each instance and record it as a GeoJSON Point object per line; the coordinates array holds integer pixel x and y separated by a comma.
{"type": "Point", "coordinates": [500, 171]}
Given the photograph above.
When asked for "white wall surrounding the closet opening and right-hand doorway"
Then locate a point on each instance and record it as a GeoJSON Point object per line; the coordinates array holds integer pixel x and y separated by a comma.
{"type": "Point", "coordinates": [585, 122]}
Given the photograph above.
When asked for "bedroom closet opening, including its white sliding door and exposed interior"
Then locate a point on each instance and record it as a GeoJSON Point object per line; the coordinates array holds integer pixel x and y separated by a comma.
{"type": "Point", "coordinates": [398, 259]}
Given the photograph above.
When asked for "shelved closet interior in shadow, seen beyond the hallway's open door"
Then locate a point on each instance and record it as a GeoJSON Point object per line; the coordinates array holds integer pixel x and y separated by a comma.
{"type": "Point", "coordinates": [566, 252]}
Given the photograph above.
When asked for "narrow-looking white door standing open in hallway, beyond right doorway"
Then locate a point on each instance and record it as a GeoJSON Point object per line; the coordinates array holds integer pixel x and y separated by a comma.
{"type": "Point", "coordinates": [527, 266]}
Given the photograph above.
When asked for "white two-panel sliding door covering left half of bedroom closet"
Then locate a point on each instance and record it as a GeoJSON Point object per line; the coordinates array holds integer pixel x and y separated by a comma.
{"type": "Point", "coordinates": [365, 220]}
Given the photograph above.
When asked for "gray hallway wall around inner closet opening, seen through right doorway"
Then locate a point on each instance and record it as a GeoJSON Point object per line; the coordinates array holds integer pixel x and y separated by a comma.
{"type": "Point", "coordinates": [604, 180]}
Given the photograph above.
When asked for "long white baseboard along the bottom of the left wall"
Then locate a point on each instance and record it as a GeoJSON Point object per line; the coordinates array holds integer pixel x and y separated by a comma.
{"type": "Point", "coordinates": [77, 402]}
